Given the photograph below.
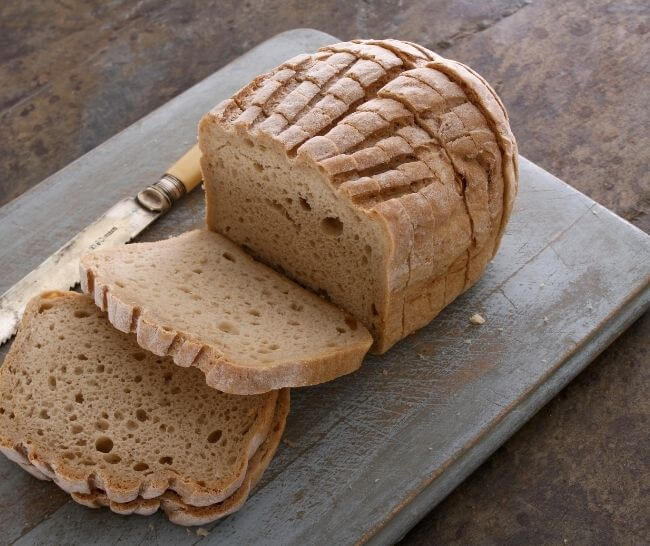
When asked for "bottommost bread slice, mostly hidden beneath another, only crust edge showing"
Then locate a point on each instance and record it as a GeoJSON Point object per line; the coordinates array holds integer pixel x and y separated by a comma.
{"type": "Point", "coordinates": [184, 514]}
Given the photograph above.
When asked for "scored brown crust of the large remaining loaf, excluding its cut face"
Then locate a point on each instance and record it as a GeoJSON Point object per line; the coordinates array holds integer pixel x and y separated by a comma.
{"type": "Point", "coordinates": [450, 198]}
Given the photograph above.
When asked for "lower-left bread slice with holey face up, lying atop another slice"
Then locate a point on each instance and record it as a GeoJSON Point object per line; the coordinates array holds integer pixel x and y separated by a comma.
{"type": "Point", "coordinates": [89, 409]}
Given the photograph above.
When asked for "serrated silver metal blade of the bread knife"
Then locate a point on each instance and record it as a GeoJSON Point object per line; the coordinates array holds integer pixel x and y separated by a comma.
{"type": "Point", "coordinates": [121, 223]}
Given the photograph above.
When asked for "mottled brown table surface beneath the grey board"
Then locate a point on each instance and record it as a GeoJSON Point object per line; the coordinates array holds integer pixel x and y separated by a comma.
{"type": "Point", "coordinates": [574, 77]}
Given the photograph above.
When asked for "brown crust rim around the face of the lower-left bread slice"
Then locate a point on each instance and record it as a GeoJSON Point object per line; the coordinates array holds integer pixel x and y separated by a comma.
{"type": "Point", "coordinates": [53, 466]}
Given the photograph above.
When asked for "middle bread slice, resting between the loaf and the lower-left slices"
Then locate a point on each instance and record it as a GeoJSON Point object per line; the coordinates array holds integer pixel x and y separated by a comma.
{"type": "Point", "coordinates": [202, 300]}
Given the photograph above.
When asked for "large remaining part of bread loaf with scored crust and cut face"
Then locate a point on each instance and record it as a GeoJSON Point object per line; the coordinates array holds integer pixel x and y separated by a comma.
{"type": "Point", "coordinates": [375, 172]}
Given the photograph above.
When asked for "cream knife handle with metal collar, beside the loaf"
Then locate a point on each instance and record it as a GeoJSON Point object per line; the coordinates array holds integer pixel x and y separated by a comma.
{"type": "Point", "coordinates": [182, 177]}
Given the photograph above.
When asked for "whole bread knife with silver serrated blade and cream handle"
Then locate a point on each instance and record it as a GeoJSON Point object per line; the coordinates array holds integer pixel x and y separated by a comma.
{"type": "Point", "coordinates": [118, 225]}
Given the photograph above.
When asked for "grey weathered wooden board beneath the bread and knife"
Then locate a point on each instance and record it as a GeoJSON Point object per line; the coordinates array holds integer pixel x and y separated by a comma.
{"type": "Point", "coordinates": [370, 453]}
